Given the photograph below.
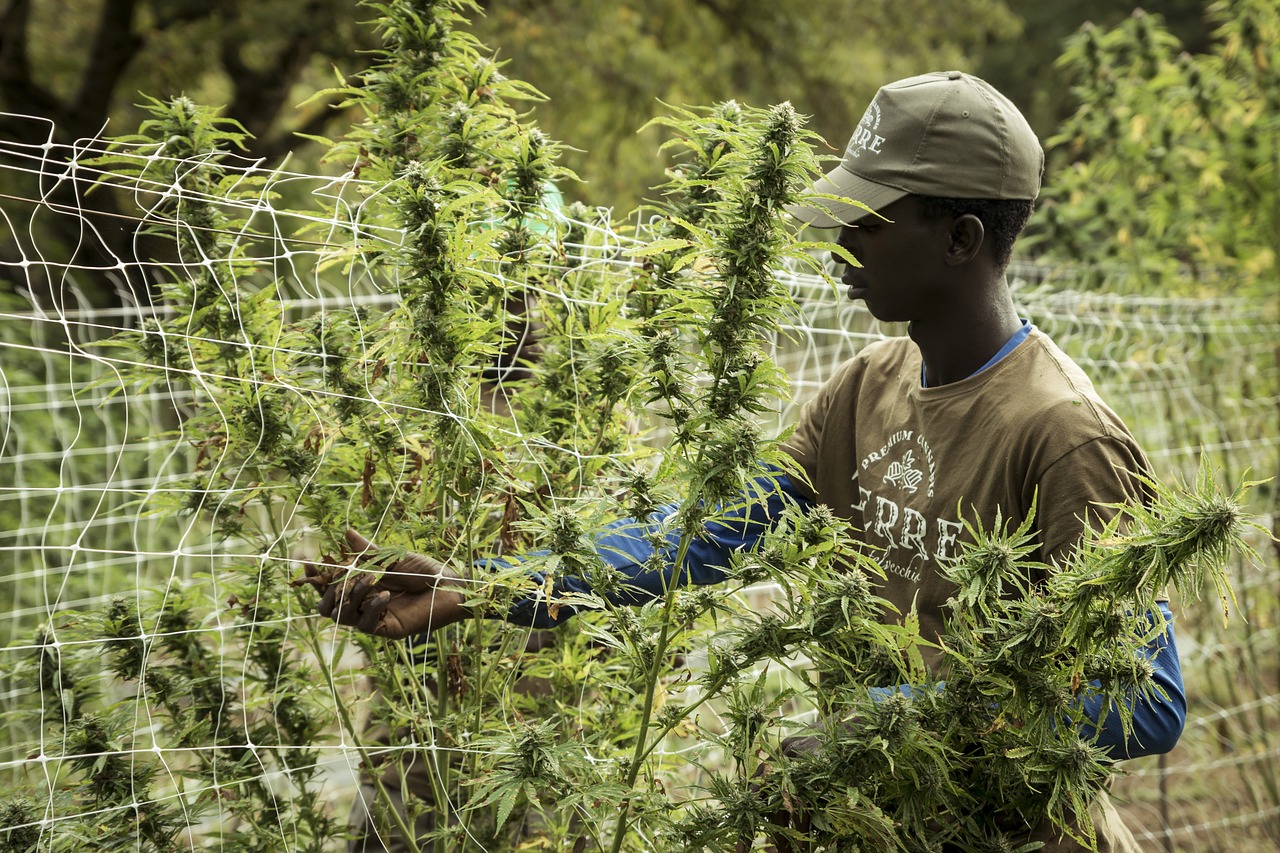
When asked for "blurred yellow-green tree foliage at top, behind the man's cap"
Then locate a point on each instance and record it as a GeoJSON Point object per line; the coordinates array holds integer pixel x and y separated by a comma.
{"type": "Point", "coordinates": [607, 66]}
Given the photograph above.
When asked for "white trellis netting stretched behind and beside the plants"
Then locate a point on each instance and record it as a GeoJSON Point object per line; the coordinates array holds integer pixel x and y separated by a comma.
{"type": "Point", "coordinates": [84, 459]}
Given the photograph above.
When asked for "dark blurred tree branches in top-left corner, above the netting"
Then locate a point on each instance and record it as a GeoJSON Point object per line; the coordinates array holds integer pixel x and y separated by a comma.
{"type": "Point", "coordinates": [84, 62]}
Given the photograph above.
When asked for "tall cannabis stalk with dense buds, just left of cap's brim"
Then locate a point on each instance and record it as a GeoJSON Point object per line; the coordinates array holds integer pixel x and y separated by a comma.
{"type": "Point", "coordinates": [747, 168]}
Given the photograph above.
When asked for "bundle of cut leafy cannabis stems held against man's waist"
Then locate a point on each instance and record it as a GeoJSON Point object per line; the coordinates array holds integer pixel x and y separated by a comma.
{"type": "Point", "coordinates": [999, 740]}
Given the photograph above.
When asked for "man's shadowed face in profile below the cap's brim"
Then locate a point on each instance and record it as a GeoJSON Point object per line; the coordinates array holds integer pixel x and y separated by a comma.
{"type": "Point", "coordinates": [903, 275]}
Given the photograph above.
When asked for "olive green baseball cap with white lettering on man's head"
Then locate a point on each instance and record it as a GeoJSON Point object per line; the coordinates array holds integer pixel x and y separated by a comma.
{"type": "Point", "coordinates": [944, 134]}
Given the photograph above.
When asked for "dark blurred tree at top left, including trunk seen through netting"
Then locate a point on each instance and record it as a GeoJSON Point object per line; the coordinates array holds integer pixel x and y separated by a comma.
{"type": "Point", "coordinates": [83, 65]}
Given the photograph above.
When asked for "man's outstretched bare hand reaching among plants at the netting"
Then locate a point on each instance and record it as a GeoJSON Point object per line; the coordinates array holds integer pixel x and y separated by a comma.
{"type": "Point", "coordinates": [415, 595]}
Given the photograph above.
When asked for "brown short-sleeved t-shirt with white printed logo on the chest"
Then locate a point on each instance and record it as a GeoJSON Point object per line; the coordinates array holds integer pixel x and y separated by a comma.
{"type": "Point", "coordinates": [909, 464]}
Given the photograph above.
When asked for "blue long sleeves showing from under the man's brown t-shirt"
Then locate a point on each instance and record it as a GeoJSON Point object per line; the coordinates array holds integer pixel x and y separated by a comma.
{"type": "Point", "coordinates": [629, 546]}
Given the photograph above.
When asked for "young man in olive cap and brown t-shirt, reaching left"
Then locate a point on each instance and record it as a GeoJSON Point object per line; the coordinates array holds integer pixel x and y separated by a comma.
{"type": "Point", "coordinates": [975, 414]}
